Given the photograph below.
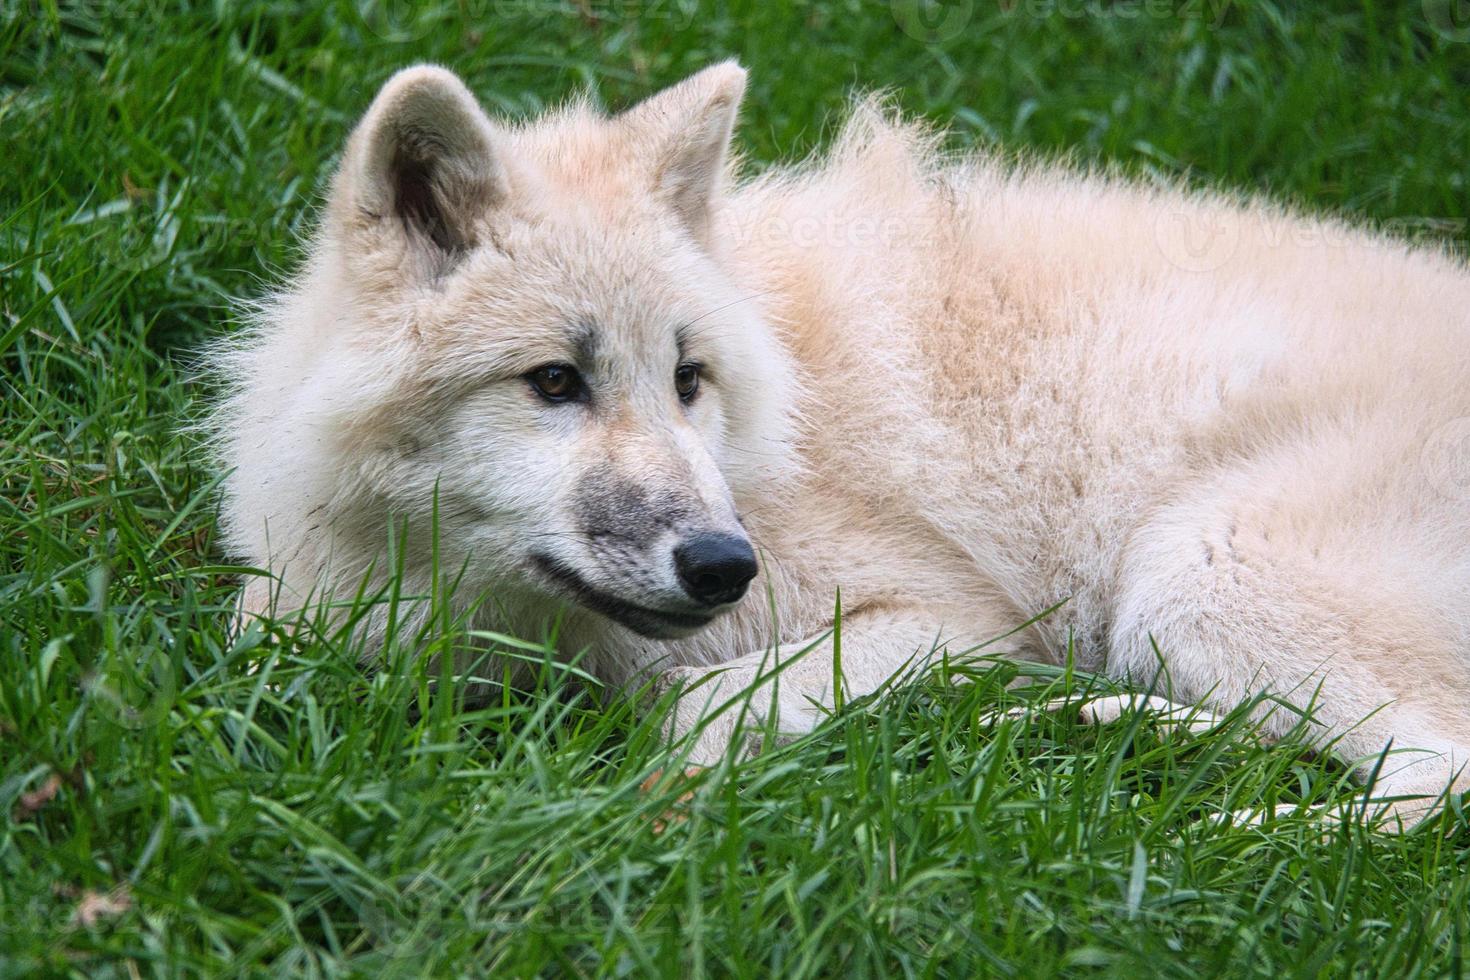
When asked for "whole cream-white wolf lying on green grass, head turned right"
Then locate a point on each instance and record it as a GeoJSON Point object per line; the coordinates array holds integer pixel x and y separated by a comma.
{"type": "Point", "coordinates": [684, 411]}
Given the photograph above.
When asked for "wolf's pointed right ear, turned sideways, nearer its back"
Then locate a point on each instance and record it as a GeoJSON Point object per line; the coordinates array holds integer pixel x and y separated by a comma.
{"type": "Point", "coordinates": [686, 131]}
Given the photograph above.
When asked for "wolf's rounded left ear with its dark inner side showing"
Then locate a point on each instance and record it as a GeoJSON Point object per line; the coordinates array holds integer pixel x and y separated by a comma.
{"type": "Point", "coordinates": [421, 170]}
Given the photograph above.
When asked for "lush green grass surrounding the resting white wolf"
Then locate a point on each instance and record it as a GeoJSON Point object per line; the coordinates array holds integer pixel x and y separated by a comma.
{"type": "Point", "coordinates": [176, 801]}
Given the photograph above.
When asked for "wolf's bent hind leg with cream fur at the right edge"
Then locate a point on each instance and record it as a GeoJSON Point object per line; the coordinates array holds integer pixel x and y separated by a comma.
{"type": "Point", "coordinates": [1230, 596]}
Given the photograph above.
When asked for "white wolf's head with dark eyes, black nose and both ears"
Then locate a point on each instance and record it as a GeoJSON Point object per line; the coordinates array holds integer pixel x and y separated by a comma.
{"type": "Point", "coordinates": [526, 340]}
